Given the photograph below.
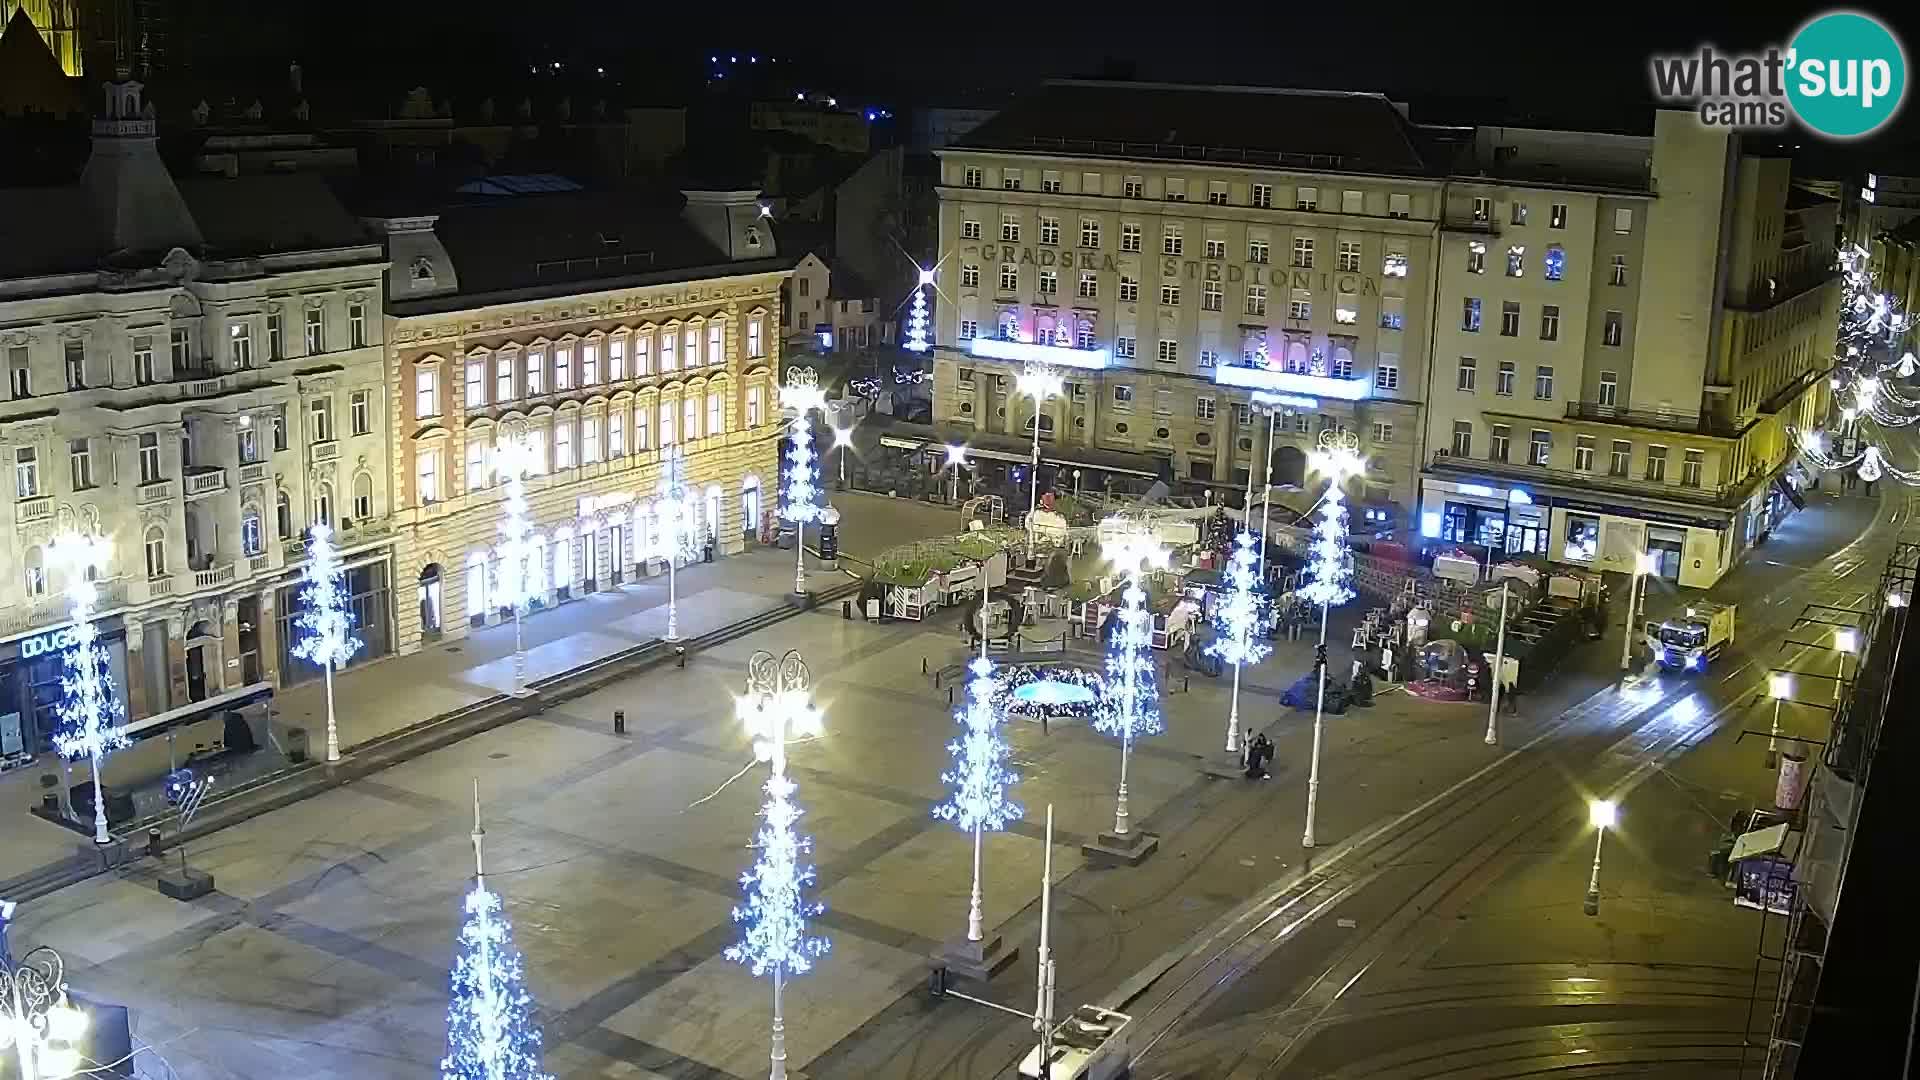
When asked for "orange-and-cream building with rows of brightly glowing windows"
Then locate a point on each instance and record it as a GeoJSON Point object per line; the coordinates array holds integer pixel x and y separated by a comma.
{"type": "Point", "coordinates": [606, 330]}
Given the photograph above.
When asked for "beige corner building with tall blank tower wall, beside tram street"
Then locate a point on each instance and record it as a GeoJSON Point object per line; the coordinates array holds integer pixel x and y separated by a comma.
{"type": "Point", "coordinates": [1627, 330]}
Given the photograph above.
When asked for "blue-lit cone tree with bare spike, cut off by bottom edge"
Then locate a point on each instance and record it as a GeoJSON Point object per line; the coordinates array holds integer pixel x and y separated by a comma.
{"type": "Point", "coordinates": [491, 1018]}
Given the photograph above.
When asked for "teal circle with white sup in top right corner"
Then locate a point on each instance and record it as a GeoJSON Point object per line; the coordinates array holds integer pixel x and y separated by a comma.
{"type": "Point", "coordinates": [1846, 74]}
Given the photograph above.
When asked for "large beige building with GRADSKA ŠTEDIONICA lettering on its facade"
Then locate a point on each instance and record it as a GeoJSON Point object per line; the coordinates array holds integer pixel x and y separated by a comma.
{"type": "Point", "coordinates": [1176, 251]}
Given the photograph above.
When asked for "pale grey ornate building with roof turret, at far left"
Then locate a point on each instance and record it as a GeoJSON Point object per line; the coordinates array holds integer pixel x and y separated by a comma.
{"type": "Point", "coordinates": [195, 374]}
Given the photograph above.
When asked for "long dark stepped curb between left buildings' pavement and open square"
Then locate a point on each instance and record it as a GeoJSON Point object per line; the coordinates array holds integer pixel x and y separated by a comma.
{"type": "Point", "coordinates": [364, 760]}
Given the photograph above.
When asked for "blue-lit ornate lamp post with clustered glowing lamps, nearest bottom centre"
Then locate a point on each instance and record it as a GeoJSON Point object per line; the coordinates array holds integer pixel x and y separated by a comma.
{"type": "Point", "coordinates": [779, 704]}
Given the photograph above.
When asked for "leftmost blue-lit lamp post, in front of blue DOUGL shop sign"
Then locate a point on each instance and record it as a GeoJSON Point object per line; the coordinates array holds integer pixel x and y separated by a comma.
{"type": "Point", "coordinates": [93, 718]}
